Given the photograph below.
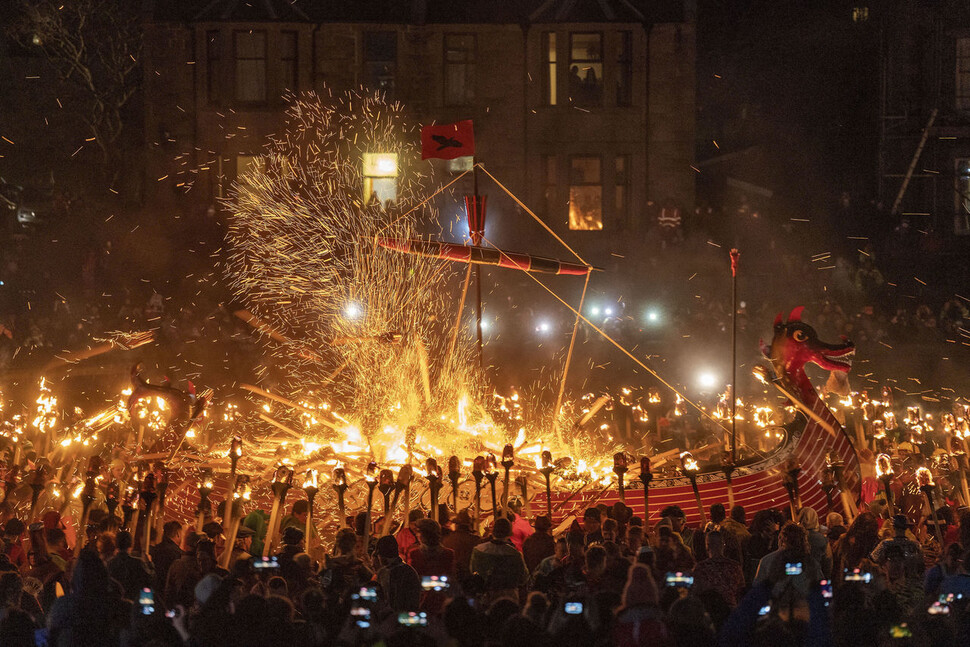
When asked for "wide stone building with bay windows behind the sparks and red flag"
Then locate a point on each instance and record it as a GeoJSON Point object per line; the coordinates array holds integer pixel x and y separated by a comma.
{"type": "Point", "coordinates": [584, 110]}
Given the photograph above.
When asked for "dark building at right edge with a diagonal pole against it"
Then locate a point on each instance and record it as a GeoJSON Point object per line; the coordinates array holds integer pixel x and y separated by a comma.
{"type": "Point", "coordinates": [924, 150]}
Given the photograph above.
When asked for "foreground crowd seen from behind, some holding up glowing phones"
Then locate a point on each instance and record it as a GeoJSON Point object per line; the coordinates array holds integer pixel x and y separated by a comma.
{"type": "Point", "coordinates": [610, 578]}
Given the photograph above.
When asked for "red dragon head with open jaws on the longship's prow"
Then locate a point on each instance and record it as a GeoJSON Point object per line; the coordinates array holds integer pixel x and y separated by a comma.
{"type": "Point", "coordinates": [796, 344]}
